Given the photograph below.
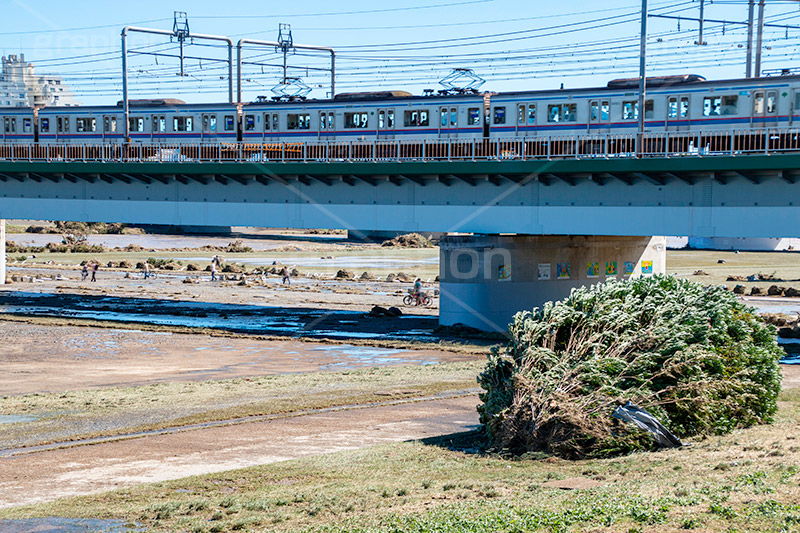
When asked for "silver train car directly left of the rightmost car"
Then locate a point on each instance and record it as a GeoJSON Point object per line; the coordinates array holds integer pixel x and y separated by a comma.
{"type": "Point", "coordinates": [366, 117]}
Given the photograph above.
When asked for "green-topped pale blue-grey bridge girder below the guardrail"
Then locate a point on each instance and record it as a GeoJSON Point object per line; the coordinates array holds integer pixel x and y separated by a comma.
{"type": "Point", "coordinates": [744, 196]}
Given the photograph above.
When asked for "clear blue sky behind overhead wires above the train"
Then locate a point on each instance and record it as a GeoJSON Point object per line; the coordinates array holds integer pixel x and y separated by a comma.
{"type": "Point", "coordinates": [407, 44]}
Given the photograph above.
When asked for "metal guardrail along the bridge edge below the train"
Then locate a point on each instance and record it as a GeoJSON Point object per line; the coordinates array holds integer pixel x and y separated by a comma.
{"type": "Point", "coordinates": [648, 145]}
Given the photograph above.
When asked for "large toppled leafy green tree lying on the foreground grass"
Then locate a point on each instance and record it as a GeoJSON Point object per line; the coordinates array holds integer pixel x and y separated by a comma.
{"type": "Point", "coordinates": [694, 356]}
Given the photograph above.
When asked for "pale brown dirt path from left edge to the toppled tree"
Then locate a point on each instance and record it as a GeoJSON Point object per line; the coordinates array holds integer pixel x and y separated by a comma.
{"type": "Point", "coordinates": [46, 476]}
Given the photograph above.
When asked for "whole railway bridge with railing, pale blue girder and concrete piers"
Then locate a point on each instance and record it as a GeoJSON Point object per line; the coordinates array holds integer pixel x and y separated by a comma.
{"type": "Point", "coordinates": [529, 219]}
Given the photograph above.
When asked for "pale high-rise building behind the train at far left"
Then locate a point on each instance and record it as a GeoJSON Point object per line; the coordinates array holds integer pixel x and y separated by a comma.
{"type": "Point", "coordinates": [20, 87]}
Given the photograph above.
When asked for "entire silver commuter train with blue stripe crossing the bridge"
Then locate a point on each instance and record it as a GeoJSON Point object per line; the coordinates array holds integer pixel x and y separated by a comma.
{"type": "Point", "coordinates": [674, 103]}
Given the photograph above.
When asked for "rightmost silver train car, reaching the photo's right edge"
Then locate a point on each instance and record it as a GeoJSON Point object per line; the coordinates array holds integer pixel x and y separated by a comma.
{"type": "Point", "coordinates": [673, 103]}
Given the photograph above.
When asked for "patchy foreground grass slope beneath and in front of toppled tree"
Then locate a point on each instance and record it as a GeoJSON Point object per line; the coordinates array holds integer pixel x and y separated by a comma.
{"type": "Point", "coordinates": [747, 481]}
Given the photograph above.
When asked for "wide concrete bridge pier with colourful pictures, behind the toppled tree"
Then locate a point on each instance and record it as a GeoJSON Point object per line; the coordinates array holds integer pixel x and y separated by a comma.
{"type": "Point", "coordinates": [486, 279]}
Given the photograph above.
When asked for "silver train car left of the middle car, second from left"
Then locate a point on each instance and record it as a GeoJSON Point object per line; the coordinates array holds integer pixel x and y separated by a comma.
{"type": "Point", "coordinates": [157, 121]}
